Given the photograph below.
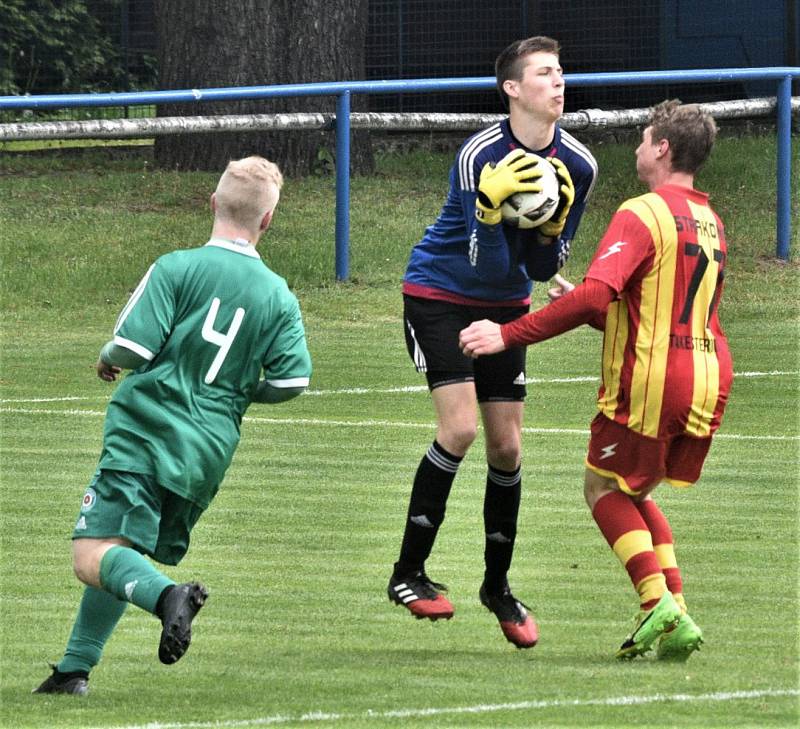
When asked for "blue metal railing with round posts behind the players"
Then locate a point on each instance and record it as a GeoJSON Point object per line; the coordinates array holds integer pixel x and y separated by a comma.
{"type": "Point", "coordinates": [782, 76]}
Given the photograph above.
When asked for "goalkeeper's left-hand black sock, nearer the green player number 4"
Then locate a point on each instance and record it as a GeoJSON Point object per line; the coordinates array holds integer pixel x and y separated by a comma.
{"type": "Point", "coordinates": [426, 508]}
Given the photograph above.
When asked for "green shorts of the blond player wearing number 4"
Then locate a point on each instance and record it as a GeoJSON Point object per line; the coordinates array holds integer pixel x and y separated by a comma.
{"type": "Point", "coordinates": [155, 520]}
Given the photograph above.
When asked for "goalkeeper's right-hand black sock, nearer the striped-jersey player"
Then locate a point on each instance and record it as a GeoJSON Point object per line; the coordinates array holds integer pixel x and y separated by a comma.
{"type": "Point", "coordinates": [500, 510]}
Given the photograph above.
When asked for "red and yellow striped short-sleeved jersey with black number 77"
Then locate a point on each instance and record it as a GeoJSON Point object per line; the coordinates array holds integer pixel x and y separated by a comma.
{"type": "Point", "coordinates": [667, 369]}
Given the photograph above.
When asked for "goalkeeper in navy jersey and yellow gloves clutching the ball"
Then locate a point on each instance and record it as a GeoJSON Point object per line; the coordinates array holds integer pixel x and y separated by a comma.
{"type": "Point", "coordinates": [470, 265]}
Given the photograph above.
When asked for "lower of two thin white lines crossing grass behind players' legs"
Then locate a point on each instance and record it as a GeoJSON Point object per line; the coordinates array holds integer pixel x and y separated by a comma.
{"type": "Point", "coordinates": [382, 424]}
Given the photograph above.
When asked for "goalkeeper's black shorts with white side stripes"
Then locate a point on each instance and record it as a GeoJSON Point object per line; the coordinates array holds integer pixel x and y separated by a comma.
{"type": "Point", "coordinates": [432, 329]}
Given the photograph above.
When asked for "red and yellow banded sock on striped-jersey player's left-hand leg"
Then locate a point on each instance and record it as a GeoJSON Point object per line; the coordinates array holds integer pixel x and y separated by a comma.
{"type": "Point", "coordinates": [628, 536]}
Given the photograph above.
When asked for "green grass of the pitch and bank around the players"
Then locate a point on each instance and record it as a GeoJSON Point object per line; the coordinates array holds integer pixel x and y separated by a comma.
{"type": "Point", "coordinates": [297, 548]}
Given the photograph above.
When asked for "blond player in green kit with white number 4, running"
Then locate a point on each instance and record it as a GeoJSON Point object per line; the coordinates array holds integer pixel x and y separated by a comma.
{"type": "Point", "coordinates": [199, 332]}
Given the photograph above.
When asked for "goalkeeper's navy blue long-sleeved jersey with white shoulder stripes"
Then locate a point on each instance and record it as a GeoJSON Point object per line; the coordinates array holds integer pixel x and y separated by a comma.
{"type": "Point", "coordinates": [464, 261]}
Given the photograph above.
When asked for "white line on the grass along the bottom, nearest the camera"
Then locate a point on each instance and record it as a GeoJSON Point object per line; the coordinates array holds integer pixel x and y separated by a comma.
{"type": "Point", "coordinates": [320, 717]}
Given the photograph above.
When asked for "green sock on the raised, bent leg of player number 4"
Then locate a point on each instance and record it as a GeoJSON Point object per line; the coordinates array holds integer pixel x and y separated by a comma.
{"type": "Point", "coordinates": [131, 577]}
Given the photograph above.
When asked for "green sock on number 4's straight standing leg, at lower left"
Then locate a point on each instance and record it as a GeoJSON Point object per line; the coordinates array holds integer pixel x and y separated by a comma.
{"type": "Point", "coordinates": [97, 617]}
